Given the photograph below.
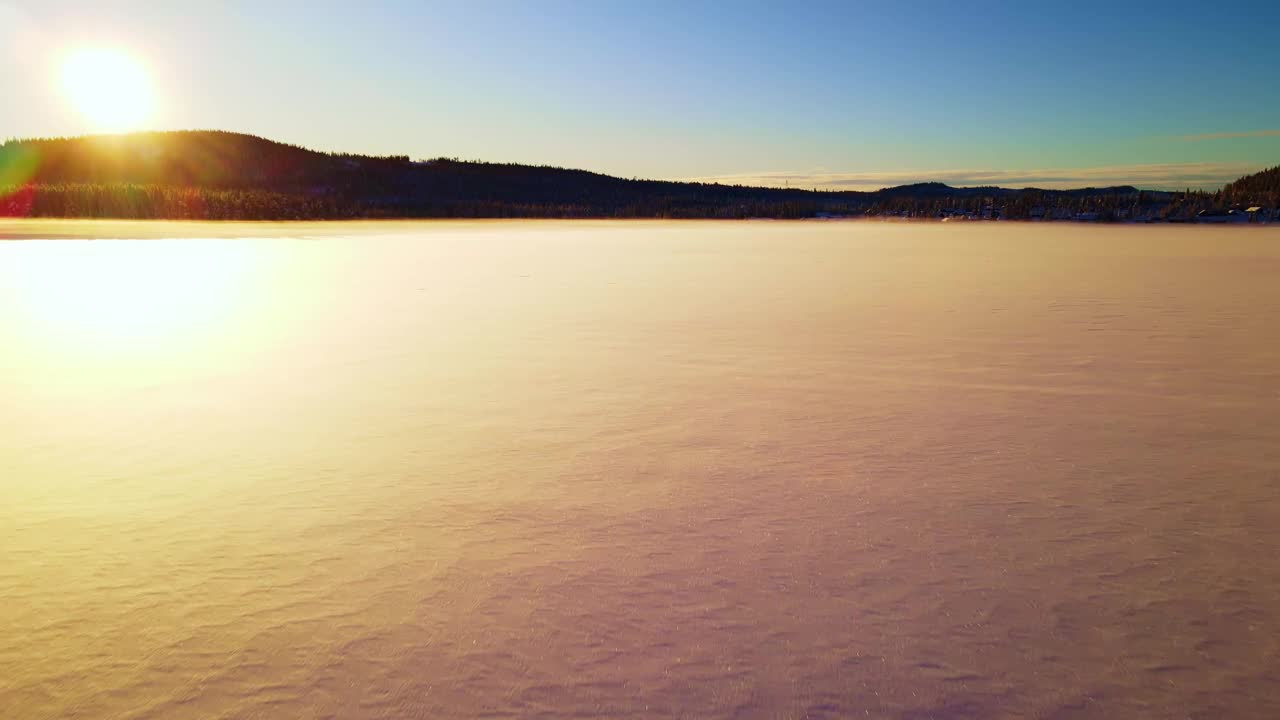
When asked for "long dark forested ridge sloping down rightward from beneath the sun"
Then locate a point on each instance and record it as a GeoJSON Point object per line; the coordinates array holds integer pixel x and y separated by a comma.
{"type": "Point", "coordinates": [220, 175]}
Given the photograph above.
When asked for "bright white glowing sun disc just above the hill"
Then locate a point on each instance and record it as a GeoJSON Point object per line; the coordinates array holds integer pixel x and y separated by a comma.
{"type": "Point", "coordinates": [109, 88]}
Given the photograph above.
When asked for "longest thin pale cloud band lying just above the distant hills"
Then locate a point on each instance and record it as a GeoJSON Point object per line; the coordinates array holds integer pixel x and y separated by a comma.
{"type": "Point", "coordinates": [1169, 176]}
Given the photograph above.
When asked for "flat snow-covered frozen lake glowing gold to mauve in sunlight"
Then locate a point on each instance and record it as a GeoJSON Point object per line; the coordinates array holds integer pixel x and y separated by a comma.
{"type": "Point", "coordinates": [639, 471]}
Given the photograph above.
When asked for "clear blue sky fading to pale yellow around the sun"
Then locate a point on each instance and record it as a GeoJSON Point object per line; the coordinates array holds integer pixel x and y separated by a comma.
{"type": "Point", "coordinates": [842, 95]}
